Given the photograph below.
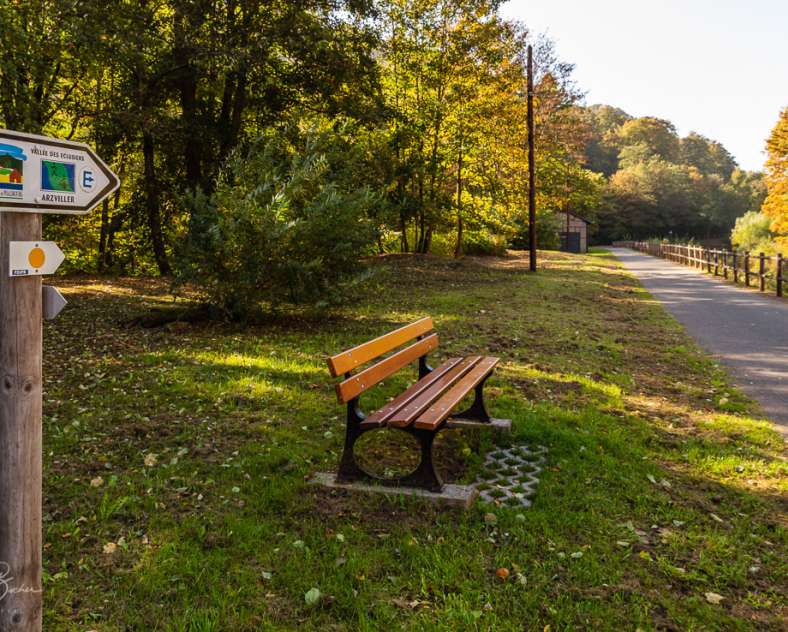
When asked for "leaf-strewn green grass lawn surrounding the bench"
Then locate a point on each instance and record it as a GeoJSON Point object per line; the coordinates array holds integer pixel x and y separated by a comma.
{"type": "Point", "coordinates": [176, 460]}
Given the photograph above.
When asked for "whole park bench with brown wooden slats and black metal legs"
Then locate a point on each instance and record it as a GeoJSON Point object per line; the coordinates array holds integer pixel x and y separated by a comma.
{"type": "Point", "coordinates": [423, 410]}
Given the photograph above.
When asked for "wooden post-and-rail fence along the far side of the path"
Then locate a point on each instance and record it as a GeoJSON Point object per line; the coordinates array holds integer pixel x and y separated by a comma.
{"type": "Point", "coordinates": [761, 271]}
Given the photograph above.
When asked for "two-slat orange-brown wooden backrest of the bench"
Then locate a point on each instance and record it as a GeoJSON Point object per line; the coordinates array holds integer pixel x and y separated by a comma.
{"type": "Point", "coordinates": [346, 361]}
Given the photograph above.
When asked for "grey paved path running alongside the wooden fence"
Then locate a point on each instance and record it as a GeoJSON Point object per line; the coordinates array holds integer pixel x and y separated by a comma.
{"type": "Point", "coordinates": [745, 330]}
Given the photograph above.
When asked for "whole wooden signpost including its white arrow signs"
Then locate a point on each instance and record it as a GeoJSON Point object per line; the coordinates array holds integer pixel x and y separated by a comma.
{"type": "Point", "coordinates": [37, 175]}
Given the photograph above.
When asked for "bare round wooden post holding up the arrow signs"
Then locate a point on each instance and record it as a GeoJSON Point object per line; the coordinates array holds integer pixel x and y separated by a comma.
{"type": "Point", "coordinates": [20, 434]}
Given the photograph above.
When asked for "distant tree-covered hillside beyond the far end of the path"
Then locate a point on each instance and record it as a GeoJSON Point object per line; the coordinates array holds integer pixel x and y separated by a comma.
{"type": "Point", "coordinates": [661, 185]}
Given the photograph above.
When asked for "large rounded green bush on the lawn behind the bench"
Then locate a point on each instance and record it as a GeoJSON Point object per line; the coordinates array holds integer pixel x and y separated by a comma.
{"type": "Point", "coordinates": [282, 226]}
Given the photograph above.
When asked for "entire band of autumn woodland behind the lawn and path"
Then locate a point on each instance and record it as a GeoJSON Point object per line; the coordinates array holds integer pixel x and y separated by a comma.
{"type": "Point", "coordinates": [322, 130]}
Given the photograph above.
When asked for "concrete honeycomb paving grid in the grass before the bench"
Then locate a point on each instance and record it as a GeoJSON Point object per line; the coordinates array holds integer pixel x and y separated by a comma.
{"type": "Point", "coordinates": [510, 475]}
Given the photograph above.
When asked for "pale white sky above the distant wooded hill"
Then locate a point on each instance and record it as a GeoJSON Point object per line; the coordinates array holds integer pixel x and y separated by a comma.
{"type": "Point", "coordinates": [716, 67]}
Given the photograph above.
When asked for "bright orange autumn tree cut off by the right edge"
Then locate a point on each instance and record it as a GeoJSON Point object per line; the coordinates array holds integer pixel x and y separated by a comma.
{"type": "Point", "coordinates": [775, 206]}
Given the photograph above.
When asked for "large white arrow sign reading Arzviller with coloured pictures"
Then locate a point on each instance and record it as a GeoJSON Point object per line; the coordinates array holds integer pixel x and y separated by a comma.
{"type": "Point", "coordinates": [39, 174]}
